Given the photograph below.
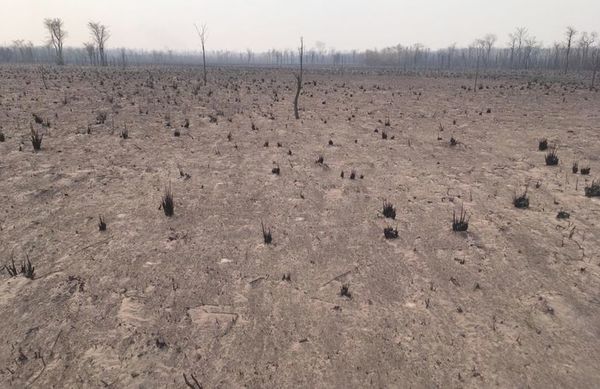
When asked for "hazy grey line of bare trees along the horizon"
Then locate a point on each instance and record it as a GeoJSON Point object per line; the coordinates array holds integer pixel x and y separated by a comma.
{"type": "Point", "coordinates": [524, 54]}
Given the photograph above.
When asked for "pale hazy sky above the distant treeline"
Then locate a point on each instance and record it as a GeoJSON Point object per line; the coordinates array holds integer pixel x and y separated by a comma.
{"type": "Point", "coordinates": [265, 24]}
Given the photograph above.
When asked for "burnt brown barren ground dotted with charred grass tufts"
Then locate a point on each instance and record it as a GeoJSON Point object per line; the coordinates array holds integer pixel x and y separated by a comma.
{"type": "Point", "coordinates": [512, 302]}
